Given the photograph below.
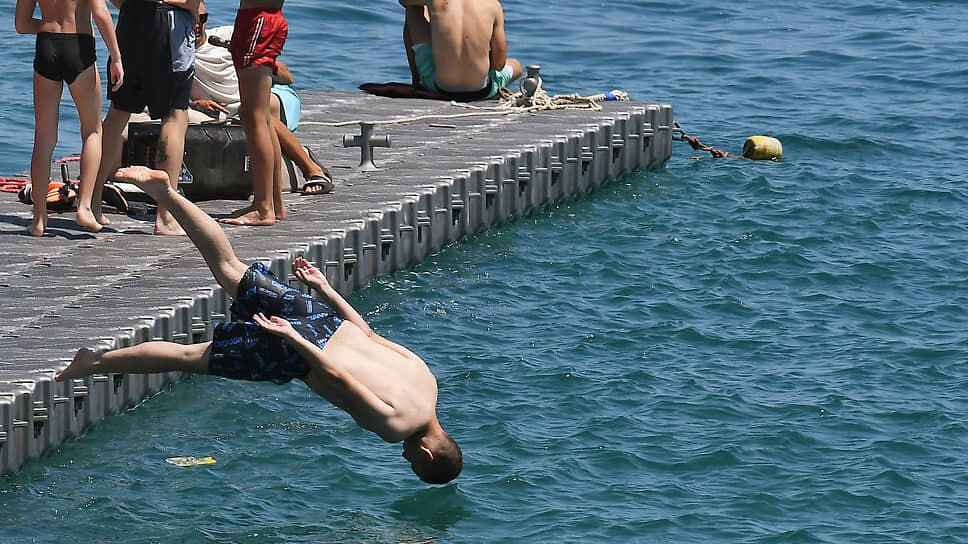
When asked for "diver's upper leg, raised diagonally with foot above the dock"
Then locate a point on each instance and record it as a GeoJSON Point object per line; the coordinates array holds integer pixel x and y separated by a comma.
{"type": "Point", "coordinates": [203, 231]}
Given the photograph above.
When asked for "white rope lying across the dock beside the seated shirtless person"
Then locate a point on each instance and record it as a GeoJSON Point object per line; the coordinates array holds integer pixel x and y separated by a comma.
{"type": "Point", "coordinates": [511, 103]}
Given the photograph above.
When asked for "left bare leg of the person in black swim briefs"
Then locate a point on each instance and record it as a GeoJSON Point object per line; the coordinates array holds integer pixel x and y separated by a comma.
{"type": "Point", "coordinates": [47, 95]}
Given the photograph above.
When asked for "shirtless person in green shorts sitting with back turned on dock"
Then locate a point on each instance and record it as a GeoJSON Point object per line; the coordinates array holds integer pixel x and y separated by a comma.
{"type": "Point", "coordinates": [457, 48]}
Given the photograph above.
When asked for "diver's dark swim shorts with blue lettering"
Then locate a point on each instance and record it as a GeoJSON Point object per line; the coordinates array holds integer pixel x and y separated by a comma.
{"type": "Point", "coordinates": [242, 350]}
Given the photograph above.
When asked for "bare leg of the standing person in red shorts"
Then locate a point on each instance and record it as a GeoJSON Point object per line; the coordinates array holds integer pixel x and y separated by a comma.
{"type": "Point", "coordinates": [254, 85]}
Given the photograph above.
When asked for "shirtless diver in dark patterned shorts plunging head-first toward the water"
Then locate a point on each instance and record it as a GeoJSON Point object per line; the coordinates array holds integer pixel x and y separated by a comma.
{"type": "Point", "coordinates": [287, 334]}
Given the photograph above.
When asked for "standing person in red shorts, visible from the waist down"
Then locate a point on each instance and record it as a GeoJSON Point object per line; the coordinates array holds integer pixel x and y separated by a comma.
{"type": "Point", "coordinates": [257, 40]}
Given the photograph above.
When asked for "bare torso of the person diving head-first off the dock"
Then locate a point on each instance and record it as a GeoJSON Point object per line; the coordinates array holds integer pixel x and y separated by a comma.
{"type": "Point", "coordinates": [399, 379]}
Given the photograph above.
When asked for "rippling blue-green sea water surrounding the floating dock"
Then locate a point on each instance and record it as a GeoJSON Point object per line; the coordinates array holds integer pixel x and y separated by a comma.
{"type": "Point", "coordinates": [721, 351]}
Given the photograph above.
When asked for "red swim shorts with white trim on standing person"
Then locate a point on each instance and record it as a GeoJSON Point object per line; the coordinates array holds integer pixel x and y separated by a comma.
{"type": "Point", "coordinates": [258, 38]}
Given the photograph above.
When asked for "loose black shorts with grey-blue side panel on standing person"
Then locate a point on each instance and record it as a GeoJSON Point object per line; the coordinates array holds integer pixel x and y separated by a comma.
{"type": "Point", "coordinates": [157, 43]}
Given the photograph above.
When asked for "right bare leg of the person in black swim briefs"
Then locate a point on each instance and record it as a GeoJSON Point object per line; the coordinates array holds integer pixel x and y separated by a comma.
{"type": "Point", "coordinates": [86, 92]}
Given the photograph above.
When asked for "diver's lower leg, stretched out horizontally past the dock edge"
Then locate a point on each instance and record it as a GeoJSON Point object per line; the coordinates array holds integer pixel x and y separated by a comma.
{"type": "Point", "coordinates": [140, 359]}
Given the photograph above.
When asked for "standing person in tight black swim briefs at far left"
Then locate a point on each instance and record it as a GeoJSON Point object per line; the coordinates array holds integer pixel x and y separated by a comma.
{"type": "Point", "coordinates": [65, 54]}
